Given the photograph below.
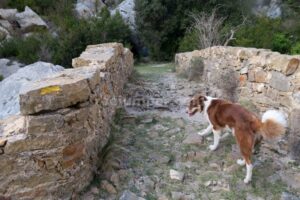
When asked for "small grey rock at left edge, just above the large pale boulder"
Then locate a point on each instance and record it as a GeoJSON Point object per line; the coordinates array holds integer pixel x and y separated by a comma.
{"type": "Point", "coordinates": [8, 67]}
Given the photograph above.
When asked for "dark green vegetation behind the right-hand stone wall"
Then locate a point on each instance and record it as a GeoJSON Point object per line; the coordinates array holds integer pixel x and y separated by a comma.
{"type": "Point", "coordinates": [165, 26]}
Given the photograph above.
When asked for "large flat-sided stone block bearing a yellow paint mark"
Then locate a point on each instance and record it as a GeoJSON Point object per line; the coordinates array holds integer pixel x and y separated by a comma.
{"type": "Point", "coordinates": [54, 93]}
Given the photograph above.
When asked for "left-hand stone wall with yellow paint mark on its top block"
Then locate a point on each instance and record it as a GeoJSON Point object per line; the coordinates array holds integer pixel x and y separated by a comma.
{"type": "Point", "coordinates": [51, 150]}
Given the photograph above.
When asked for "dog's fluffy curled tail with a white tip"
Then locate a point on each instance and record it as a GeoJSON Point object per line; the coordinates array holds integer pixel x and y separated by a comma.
{"type": "Point", "coordinates": [273, 124]}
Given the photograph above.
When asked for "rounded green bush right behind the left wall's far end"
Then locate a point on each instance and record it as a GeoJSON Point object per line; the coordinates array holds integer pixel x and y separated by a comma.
{"type": "Point", "coordinates": [81, 33]}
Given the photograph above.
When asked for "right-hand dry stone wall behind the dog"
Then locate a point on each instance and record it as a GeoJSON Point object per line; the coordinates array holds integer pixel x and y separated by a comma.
{"type": "Point", "coordinates": [267, 79]}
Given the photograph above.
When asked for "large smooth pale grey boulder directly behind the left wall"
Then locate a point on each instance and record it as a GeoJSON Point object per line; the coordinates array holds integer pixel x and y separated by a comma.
{"type": "Point", "coordinates": [10, 87]}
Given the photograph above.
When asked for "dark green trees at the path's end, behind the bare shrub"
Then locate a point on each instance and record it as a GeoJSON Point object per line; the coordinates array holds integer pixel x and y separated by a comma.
{"type": "Point", "coordinates": [162, 25]}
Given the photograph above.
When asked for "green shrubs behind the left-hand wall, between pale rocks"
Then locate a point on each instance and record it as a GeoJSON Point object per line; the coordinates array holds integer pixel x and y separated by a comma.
{"type": "Point", "coordinates": [70, 39]}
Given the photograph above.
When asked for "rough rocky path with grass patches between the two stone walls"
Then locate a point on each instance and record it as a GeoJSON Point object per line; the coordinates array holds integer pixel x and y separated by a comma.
{"type": "Point", "coordinates": [155, 152]}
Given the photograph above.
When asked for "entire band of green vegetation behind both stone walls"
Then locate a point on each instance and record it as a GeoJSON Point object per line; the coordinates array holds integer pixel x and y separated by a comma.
{"type": "Point", "coordinates": [164, 27]}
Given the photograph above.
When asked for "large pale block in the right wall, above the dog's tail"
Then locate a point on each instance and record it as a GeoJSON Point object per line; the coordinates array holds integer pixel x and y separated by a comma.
{"type": "Point", "coordinates": [280, 81]}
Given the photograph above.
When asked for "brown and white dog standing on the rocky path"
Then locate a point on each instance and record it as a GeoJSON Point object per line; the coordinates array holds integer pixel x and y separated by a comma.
{"type": "Point", "coordinates": [245, 126]}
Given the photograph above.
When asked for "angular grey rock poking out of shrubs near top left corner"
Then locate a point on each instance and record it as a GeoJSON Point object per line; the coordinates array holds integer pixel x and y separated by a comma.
{"type": "Point", "coordinates": [30, 21]}
